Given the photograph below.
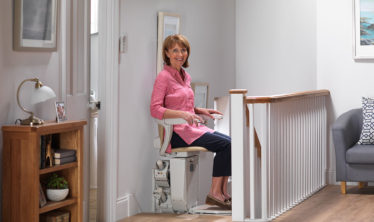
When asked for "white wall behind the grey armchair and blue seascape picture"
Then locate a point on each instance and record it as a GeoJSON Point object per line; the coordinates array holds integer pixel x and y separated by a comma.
{"type": "Point", "coordinates": [347, 80]}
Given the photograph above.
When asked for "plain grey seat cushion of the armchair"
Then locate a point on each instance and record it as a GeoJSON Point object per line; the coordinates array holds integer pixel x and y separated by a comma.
{"type": "Point", "coordinates": [360, 154]}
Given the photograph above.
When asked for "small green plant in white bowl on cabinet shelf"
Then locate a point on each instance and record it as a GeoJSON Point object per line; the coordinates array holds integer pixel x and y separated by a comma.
{"type": "Point", "coordinates": [57, 188]}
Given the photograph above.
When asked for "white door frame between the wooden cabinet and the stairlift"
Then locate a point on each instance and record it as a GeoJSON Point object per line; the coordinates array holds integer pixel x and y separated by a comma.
{"type": "Point", "coordinates": [108, 69]}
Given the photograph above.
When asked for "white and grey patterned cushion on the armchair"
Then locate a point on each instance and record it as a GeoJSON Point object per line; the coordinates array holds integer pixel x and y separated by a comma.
{"type": "Point", "coordinates": [367, 133]}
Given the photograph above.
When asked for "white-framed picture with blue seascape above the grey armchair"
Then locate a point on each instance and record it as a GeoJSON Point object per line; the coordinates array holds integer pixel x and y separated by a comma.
{"type": "Point", "coordinates": [363, 29]}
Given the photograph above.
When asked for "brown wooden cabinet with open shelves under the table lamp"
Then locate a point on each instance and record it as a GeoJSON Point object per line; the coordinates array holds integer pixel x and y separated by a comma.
{"type": "Point", "coordinates": [22, 174]}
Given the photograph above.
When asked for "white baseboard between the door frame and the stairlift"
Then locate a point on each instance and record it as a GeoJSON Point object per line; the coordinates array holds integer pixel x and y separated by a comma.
{"type": "Point", "coordinates": [126, 206]}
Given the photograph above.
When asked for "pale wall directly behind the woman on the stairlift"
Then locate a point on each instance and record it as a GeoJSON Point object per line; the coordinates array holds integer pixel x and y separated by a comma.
{"type": "Point", "coordinates": [210, 27]}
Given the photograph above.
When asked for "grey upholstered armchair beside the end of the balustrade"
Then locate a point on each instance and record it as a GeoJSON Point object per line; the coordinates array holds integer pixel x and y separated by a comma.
{"type": "Point", "coordinates": [354, 163]}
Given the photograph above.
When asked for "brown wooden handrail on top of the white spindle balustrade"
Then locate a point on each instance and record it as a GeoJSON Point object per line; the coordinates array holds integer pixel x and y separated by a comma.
{"type": "Point", "coordinates": [286, 97]}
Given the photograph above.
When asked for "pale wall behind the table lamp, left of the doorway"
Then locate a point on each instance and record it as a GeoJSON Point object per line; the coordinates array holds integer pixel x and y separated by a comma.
{"type": "Point", "coordinates": [17, 66]}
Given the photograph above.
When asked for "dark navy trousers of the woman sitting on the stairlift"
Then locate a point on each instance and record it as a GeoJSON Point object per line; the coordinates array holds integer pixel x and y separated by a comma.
{"type": "Point", "coordinates": [215, 142]}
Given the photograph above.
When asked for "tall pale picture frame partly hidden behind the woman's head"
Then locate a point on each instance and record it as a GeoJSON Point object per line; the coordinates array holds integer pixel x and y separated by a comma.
{"type": "Point", "coordinates": [168, 24]}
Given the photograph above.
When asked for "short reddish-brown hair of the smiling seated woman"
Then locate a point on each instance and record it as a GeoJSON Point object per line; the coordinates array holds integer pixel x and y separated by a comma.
{"type": "Point", "coordinates": [170, 42]}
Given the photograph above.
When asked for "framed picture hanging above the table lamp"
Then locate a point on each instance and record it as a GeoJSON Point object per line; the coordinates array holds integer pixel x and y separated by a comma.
{"type": "Point", "coordinates": [35, 25]}
